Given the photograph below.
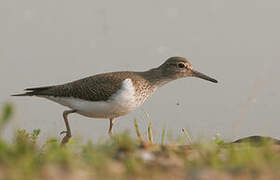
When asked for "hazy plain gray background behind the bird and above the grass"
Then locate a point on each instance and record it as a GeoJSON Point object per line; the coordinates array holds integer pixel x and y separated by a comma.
{"type": "Point", "coordinates": [237, 42]}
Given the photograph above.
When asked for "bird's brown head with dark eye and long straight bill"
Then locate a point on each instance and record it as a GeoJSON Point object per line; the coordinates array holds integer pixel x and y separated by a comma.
{"type": "Point", "coordinates": [179, 67]}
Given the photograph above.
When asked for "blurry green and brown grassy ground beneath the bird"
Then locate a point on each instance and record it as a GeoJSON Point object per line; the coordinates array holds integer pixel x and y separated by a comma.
{"type": "Point", "coordinates": [124, 157]}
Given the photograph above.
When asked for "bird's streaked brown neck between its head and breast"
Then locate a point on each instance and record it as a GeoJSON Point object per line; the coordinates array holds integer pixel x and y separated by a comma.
{"type": "Point", "coordinates": [156, 77]}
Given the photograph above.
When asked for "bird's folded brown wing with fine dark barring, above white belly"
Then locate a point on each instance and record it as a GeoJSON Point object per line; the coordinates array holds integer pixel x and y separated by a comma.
{"type": "Point", "coordinates": [95, 88]}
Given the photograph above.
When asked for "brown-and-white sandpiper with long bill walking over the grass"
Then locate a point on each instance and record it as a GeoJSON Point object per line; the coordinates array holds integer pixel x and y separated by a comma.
{"type": "Point", "coordinates": [114, 94]}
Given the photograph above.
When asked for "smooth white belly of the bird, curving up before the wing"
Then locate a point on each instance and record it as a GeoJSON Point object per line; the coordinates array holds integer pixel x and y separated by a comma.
{"type": "Point", "coordinates": [120, 103]}
